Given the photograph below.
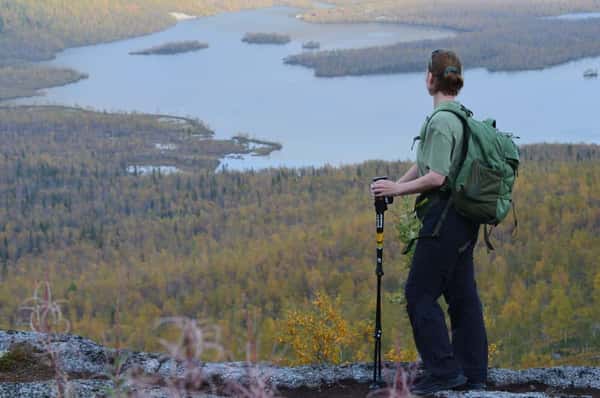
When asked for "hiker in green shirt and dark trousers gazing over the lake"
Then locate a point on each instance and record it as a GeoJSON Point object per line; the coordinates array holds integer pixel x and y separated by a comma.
{"type": "Point", "coordinates": [442, 263]}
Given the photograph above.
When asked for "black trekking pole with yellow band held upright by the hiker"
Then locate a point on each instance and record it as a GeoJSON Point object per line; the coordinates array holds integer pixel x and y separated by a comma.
{"type": "Point", "coordinates": [380, 208]}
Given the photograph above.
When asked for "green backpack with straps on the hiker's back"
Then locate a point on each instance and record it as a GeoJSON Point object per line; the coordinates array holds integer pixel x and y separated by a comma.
{"type": "Point", "coordinates": [481, 185]}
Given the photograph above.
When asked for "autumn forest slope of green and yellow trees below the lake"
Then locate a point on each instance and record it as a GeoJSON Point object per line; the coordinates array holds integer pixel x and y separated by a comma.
{"type": "Point", "coordinates": [256, 253]}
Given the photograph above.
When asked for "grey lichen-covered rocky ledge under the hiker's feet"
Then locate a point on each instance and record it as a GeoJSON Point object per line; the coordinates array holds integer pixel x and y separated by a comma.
{"type": "Point", "coordinates": [39, 365]}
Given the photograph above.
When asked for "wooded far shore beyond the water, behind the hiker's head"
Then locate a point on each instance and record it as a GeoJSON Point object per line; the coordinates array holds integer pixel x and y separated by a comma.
{"type": "Point", "coordinates": [498, 36]}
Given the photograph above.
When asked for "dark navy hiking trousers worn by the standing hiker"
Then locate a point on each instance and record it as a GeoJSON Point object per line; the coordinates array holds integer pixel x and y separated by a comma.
{"type": "Point", "coordinates": [444, 266]}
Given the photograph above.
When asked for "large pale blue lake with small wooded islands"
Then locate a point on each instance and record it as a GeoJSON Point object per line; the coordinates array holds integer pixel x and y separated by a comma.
{"type": "Point", "coordinates": [235, 87]}
